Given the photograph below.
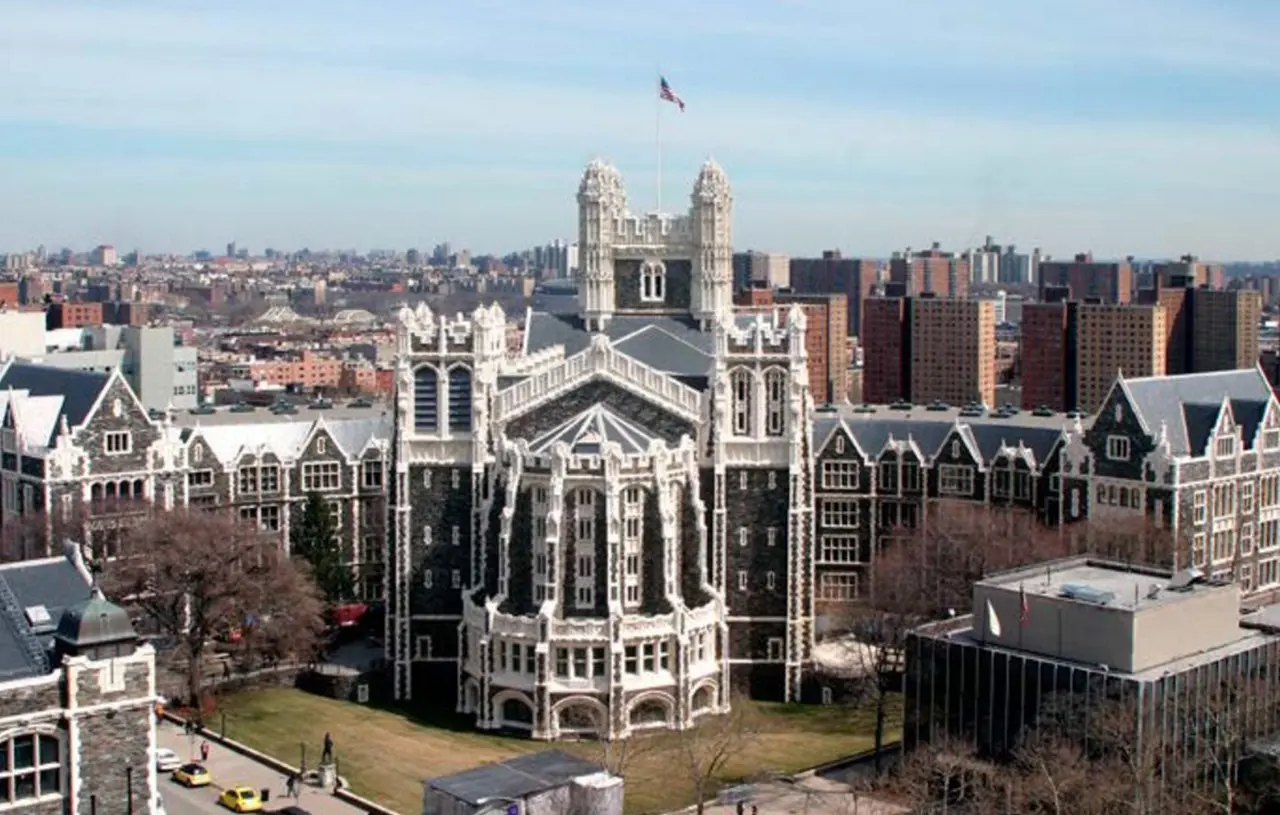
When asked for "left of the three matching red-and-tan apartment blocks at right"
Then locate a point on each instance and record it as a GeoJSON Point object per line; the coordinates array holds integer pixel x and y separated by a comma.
{"type": "Point", "coordinates": [926, 350]}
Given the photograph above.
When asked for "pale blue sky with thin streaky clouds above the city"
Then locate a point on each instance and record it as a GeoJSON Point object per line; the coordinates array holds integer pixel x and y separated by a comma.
{"type": "Point", "coordinates": [1142, 127]}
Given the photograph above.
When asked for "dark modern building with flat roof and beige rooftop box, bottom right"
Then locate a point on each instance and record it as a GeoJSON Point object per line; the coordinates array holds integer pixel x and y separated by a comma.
{"type": "Point", "coordinates": [1144, 653]}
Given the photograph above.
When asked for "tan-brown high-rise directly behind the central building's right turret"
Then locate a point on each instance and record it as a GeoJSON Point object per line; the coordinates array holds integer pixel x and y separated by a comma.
{"type": "Point", "coordinates": [826, 335]}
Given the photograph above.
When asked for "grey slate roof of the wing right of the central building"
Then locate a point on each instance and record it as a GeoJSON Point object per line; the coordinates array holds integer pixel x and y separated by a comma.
{"type": "Point", "coordinates": [872, 428]}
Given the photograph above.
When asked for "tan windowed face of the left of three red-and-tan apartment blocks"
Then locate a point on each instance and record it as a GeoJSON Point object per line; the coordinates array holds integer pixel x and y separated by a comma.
{"type": "Point", "coordinates": [953, 355]}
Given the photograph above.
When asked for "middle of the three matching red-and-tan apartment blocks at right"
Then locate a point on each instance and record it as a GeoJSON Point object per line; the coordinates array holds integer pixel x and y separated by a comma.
{"type": "Point", "coordinates": [1073, 351]}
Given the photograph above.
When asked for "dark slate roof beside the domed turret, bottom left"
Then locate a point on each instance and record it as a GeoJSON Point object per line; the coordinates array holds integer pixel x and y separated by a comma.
{"type": "Point", "coordinates": [26, 638]}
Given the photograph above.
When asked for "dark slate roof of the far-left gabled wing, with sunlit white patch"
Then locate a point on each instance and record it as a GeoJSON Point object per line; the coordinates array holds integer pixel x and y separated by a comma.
{"type": "Point", "coordinates": [58, 393]}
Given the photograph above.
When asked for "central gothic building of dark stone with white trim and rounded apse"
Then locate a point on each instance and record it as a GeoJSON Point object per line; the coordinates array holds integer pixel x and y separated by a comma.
{"type": "Point", "coordinates": [610, 532]}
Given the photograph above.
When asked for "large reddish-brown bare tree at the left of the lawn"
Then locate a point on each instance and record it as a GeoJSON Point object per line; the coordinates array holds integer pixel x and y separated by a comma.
{"type": "Point", "coordinates": [198, 576]}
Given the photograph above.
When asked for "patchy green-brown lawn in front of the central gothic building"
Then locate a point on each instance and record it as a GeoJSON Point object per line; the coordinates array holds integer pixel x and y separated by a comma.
{"type": "Point", "coordinates": [387, 754]}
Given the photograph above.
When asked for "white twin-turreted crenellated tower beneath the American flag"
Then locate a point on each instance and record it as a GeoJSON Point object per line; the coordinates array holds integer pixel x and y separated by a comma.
{"type": "Point", "coordinates": [657, 263]}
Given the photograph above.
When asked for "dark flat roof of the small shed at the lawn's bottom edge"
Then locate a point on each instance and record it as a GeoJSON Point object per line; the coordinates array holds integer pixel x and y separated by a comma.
{"type": "Point", "coordinates": [515, 779]}
